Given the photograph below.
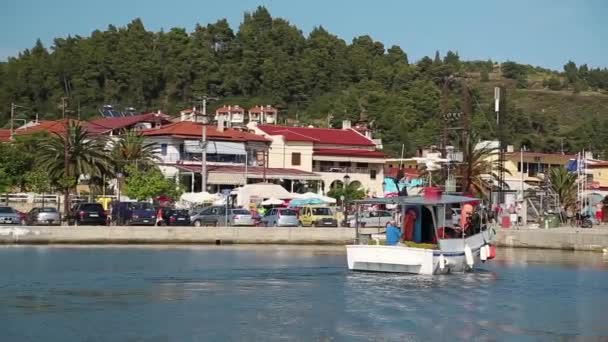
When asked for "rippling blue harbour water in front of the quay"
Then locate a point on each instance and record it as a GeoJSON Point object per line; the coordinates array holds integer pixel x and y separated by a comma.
{"type": "Point", "coordinates": [294, 293]}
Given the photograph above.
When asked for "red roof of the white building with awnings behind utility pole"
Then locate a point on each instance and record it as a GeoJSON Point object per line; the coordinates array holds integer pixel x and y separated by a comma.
{"type": "Point", "coordinates": [189, 129]}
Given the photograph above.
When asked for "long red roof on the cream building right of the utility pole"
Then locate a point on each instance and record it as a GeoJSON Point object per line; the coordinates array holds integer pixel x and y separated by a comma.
{"type": "Point", "coordinates": [329, 136]}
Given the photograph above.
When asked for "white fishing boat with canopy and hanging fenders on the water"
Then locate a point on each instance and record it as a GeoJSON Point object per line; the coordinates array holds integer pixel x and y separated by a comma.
{"type": "Point", "coordinates": [437, 246]}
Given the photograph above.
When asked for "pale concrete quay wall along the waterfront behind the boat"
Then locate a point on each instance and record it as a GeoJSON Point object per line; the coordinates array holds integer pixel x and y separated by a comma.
{"type": "Point", "coordinates": [566, 238]}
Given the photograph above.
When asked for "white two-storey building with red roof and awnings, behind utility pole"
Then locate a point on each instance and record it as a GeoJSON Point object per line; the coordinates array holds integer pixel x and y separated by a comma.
{"type": "Point", "coordinates": [234, 157]}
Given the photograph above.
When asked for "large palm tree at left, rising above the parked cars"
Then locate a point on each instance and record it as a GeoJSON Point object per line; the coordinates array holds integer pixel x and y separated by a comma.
{"type": "Point", "coordinates": [67, 156]}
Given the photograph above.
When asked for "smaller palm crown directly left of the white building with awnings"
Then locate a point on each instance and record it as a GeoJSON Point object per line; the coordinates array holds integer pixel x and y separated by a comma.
{"type": "Point", "coordinates": [132, 150]}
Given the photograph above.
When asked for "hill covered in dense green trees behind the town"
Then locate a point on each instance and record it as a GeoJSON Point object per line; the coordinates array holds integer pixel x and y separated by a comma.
{"type": "Point", "coordinates": [309, 78]}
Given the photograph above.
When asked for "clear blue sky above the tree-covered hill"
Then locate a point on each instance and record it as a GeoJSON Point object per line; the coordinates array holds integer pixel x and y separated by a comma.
{"type": "Point", "coordinates": [540, 32]}
